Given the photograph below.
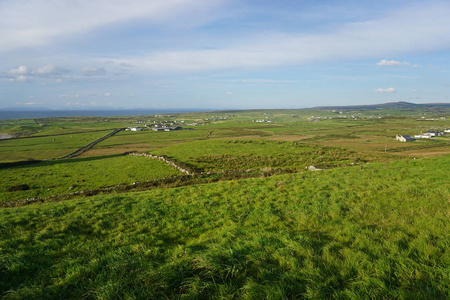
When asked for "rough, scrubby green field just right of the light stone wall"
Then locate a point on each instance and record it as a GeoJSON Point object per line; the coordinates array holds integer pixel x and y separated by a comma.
{"type": "Point", "coordinates": [220, 155]}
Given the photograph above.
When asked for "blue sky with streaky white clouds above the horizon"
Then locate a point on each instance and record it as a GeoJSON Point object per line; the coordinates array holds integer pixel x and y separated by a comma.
{"type": "Point", "coordinates": [222, 54]}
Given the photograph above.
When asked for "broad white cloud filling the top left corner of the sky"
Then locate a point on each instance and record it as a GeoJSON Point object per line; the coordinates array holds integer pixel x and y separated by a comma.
{"type": "Point", "coordinates": [29, 23]}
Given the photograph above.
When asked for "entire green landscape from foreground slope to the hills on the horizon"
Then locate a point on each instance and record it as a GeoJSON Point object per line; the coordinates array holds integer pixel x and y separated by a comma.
{"type": "Point", "coordinates": [374, 224]}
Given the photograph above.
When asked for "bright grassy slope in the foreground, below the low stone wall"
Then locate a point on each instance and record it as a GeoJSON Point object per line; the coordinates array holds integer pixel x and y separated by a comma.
{"type": "Point", "coordinates": [378, 231]}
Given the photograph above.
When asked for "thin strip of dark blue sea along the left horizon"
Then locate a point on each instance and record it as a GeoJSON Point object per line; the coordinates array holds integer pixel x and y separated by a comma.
{"type": "Point", "coordinates": [35, 114]}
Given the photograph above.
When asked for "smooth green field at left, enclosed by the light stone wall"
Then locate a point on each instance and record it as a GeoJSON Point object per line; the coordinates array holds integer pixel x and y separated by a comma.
{"type": "Point", "coordinates": [70, 175]}
